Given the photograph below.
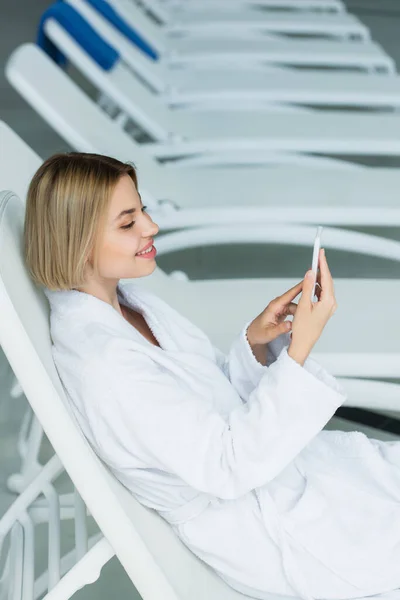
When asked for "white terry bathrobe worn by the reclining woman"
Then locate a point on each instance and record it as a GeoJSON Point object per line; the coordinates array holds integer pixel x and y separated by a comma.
{"type": "Point", "coordinates": [230, 452]}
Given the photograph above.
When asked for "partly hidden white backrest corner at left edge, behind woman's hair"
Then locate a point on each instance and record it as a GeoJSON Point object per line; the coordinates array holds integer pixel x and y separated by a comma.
{"type": "Point", "coordinates": [18, 162]}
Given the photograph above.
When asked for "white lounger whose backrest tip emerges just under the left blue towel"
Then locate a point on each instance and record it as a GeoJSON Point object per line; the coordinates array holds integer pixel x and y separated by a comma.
{"type": "Point", "coordinates": [234, 132]}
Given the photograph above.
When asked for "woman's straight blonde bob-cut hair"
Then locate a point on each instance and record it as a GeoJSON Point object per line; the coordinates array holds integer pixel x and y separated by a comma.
{"type": "Point", "coordinates": [66, 207]}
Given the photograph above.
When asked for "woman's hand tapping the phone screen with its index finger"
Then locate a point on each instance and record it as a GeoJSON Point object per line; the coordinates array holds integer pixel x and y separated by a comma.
{"type": "Point", "coordinates": [271, 322]}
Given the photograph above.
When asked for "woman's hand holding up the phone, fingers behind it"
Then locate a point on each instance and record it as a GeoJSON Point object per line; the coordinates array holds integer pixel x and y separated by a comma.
{"type": "Point", "coordinates": [311, 318]}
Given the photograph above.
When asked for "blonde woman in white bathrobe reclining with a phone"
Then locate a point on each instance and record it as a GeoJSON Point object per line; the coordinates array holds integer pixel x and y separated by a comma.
{"type": "Point", "coordinates": [229, 450]}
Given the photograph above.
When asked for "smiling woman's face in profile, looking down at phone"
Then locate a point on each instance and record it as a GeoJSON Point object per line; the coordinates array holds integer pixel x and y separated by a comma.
{"type": "Point", "coordinates": [126, 249]}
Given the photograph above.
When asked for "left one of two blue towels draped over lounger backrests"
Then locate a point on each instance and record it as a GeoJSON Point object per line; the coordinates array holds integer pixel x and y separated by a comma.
{"type": "Point", "coordinates": [101, 52]}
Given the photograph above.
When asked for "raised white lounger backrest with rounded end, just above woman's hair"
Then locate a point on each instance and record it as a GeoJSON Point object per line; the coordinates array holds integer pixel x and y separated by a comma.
{"type": "Point", "coordinates": [76, 118]}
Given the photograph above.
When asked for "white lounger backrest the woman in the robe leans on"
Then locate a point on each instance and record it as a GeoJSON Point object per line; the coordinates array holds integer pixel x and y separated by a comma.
{"type": "Point", "coordinates": [159, 565]}
